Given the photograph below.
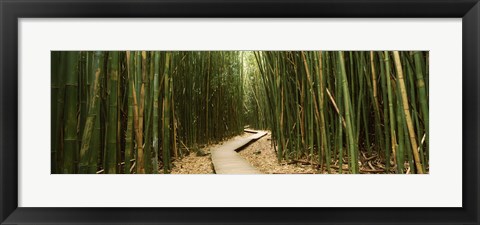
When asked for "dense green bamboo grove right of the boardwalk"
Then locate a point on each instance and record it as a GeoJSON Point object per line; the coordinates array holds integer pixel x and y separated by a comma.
{"type": "Point", "coordinates": [335, 107]}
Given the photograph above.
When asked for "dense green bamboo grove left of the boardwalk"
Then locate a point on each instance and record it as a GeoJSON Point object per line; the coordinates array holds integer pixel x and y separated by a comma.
{"type": "Point", "coordinates": [136, 111]}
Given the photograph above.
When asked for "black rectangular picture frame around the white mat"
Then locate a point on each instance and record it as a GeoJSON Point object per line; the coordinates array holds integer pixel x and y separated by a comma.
{"type": "Point", "coordinates": [12, 10]}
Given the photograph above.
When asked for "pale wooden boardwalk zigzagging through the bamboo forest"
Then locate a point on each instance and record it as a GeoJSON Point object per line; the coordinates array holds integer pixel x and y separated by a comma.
{"type": "Point", "coordinates": [227, 161]}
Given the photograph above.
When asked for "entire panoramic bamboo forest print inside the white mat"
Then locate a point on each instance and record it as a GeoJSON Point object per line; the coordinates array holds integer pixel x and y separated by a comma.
{"type": "Point", "coordinates": [239, 112]}
